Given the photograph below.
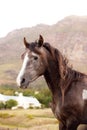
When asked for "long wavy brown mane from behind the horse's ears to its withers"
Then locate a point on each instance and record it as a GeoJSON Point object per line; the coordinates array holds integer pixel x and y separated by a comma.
{"type": "Point", "coordinates": [66, 72]}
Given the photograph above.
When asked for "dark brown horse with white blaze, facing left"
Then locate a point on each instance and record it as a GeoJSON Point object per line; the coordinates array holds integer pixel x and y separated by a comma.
{"type": "Point", "coordinates": [68, 86]}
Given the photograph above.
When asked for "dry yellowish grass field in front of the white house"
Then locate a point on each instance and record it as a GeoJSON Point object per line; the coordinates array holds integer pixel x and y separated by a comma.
{"type": "Point", "coordinates": [31, 119]}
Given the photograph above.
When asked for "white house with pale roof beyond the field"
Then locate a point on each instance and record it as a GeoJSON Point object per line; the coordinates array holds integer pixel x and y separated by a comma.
{"type": "Point", "coordinates": [23, 101]}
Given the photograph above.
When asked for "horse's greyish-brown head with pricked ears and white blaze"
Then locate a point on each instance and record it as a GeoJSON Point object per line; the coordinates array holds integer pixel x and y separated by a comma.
{"type": "Point", "coordinates": [34, 62]}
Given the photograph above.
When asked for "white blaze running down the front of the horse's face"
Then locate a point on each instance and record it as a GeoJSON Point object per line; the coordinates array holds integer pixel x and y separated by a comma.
{"type": "Point", "coordinates": [21, 73]}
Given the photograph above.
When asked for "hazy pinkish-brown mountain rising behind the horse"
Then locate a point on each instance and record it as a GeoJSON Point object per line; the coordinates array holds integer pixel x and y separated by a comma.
{"type": "Point", "coordinates": [68, 35]}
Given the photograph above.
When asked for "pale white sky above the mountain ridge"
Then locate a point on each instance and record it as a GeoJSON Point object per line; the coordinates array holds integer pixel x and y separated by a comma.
{"type": "Point", "coordinates": [16, 14]}
